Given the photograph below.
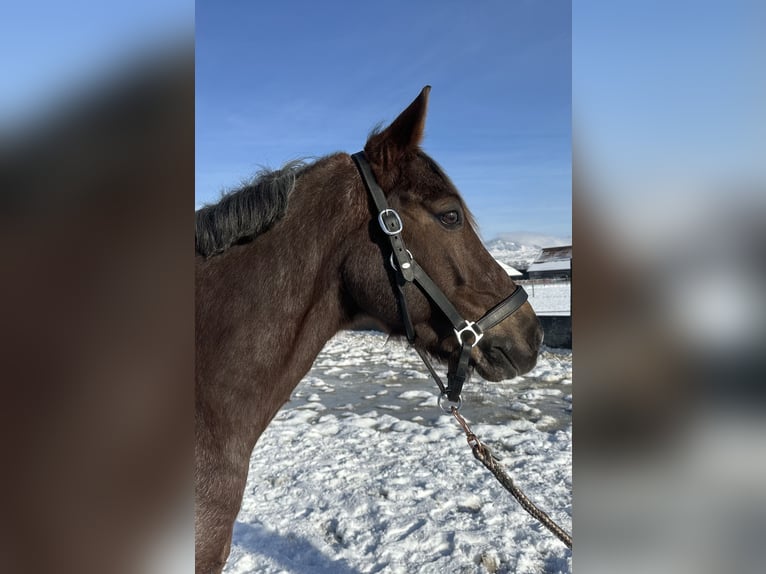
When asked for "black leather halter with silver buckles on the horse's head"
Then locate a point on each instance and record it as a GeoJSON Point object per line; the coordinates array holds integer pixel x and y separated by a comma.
{"type": "Point", "coordinates": [468, 333]}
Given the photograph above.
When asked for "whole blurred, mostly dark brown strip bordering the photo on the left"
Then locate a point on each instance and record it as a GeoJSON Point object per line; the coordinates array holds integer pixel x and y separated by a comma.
{"type": "Point", "coordinates": [97, 305]}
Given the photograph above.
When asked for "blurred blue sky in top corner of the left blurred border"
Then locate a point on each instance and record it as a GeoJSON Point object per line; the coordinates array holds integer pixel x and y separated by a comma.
{"type": "Point", "coordinates": [52, 51]}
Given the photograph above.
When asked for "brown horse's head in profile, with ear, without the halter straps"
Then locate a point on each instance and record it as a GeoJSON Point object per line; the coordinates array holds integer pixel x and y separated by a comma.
{"type": "Point", "coordinates": [440, 233]}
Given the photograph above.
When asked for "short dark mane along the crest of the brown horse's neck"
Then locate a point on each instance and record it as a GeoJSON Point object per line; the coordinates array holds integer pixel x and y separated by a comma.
{"type": "Point", "coordinates": [241, 214]}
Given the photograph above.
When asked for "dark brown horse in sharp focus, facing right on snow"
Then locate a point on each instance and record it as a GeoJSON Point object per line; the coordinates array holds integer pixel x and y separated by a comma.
{"type": "Point", "coordinates": [298, 254]}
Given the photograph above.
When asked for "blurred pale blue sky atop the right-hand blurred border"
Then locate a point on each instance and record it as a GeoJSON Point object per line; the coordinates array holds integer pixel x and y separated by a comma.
{"type": "Point", "coordinates": [669, 90]}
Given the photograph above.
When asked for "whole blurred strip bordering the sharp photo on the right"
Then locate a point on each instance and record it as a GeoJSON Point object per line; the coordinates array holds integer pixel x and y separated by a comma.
{"type": "Point", "coordinates": [668, 309]}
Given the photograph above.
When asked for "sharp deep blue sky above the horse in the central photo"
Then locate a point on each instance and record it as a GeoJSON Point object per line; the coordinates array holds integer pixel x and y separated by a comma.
{"type": "Point", "coordinates": [279, 81]}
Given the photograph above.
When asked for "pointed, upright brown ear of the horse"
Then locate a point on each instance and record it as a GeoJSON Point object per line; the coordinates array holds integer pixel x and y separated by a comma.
{"type": "Point", "coordinates": [403, 135]}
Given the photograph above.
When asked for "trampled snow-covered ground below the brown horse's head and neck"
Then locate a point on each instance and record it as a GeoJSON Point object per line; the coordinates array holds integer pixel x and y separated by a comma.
{"type": "Point", "coordinates": [361, 472]}
